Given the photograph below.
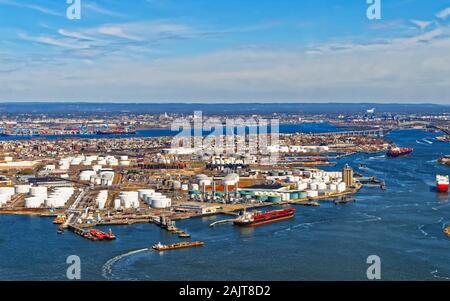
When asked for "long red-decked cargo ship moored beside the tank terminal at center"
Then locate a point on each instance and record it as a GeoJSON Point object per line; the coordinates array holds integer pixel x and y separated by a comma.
{"type": "Point", "coordinates": [256, 218]}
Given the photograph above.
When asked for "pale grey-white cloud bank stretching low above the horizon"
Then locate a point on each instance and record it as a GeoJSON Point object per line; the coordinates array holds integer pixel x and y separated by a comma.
{"type": "Point", "coordinates": [396, 71]}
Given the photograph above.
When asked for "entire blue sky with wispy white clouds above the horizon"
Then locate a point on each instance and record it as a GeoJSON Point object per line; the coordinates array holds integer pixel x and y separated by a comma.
{"type": "Point", "coordinates": [225, 51]}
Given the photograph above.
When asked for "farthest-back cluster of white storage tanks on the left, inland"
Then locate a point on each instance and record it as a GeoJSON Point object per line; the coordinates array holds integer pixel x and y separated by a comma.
{"type": "Point", "coordinates": [66, 162]}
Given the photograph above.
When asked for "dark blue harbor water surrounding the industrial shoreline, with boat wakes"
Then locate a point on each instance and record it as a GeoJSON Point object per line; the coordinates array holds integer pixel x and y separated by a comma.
{"type": "Point", "coordinates": [402, 225]}
